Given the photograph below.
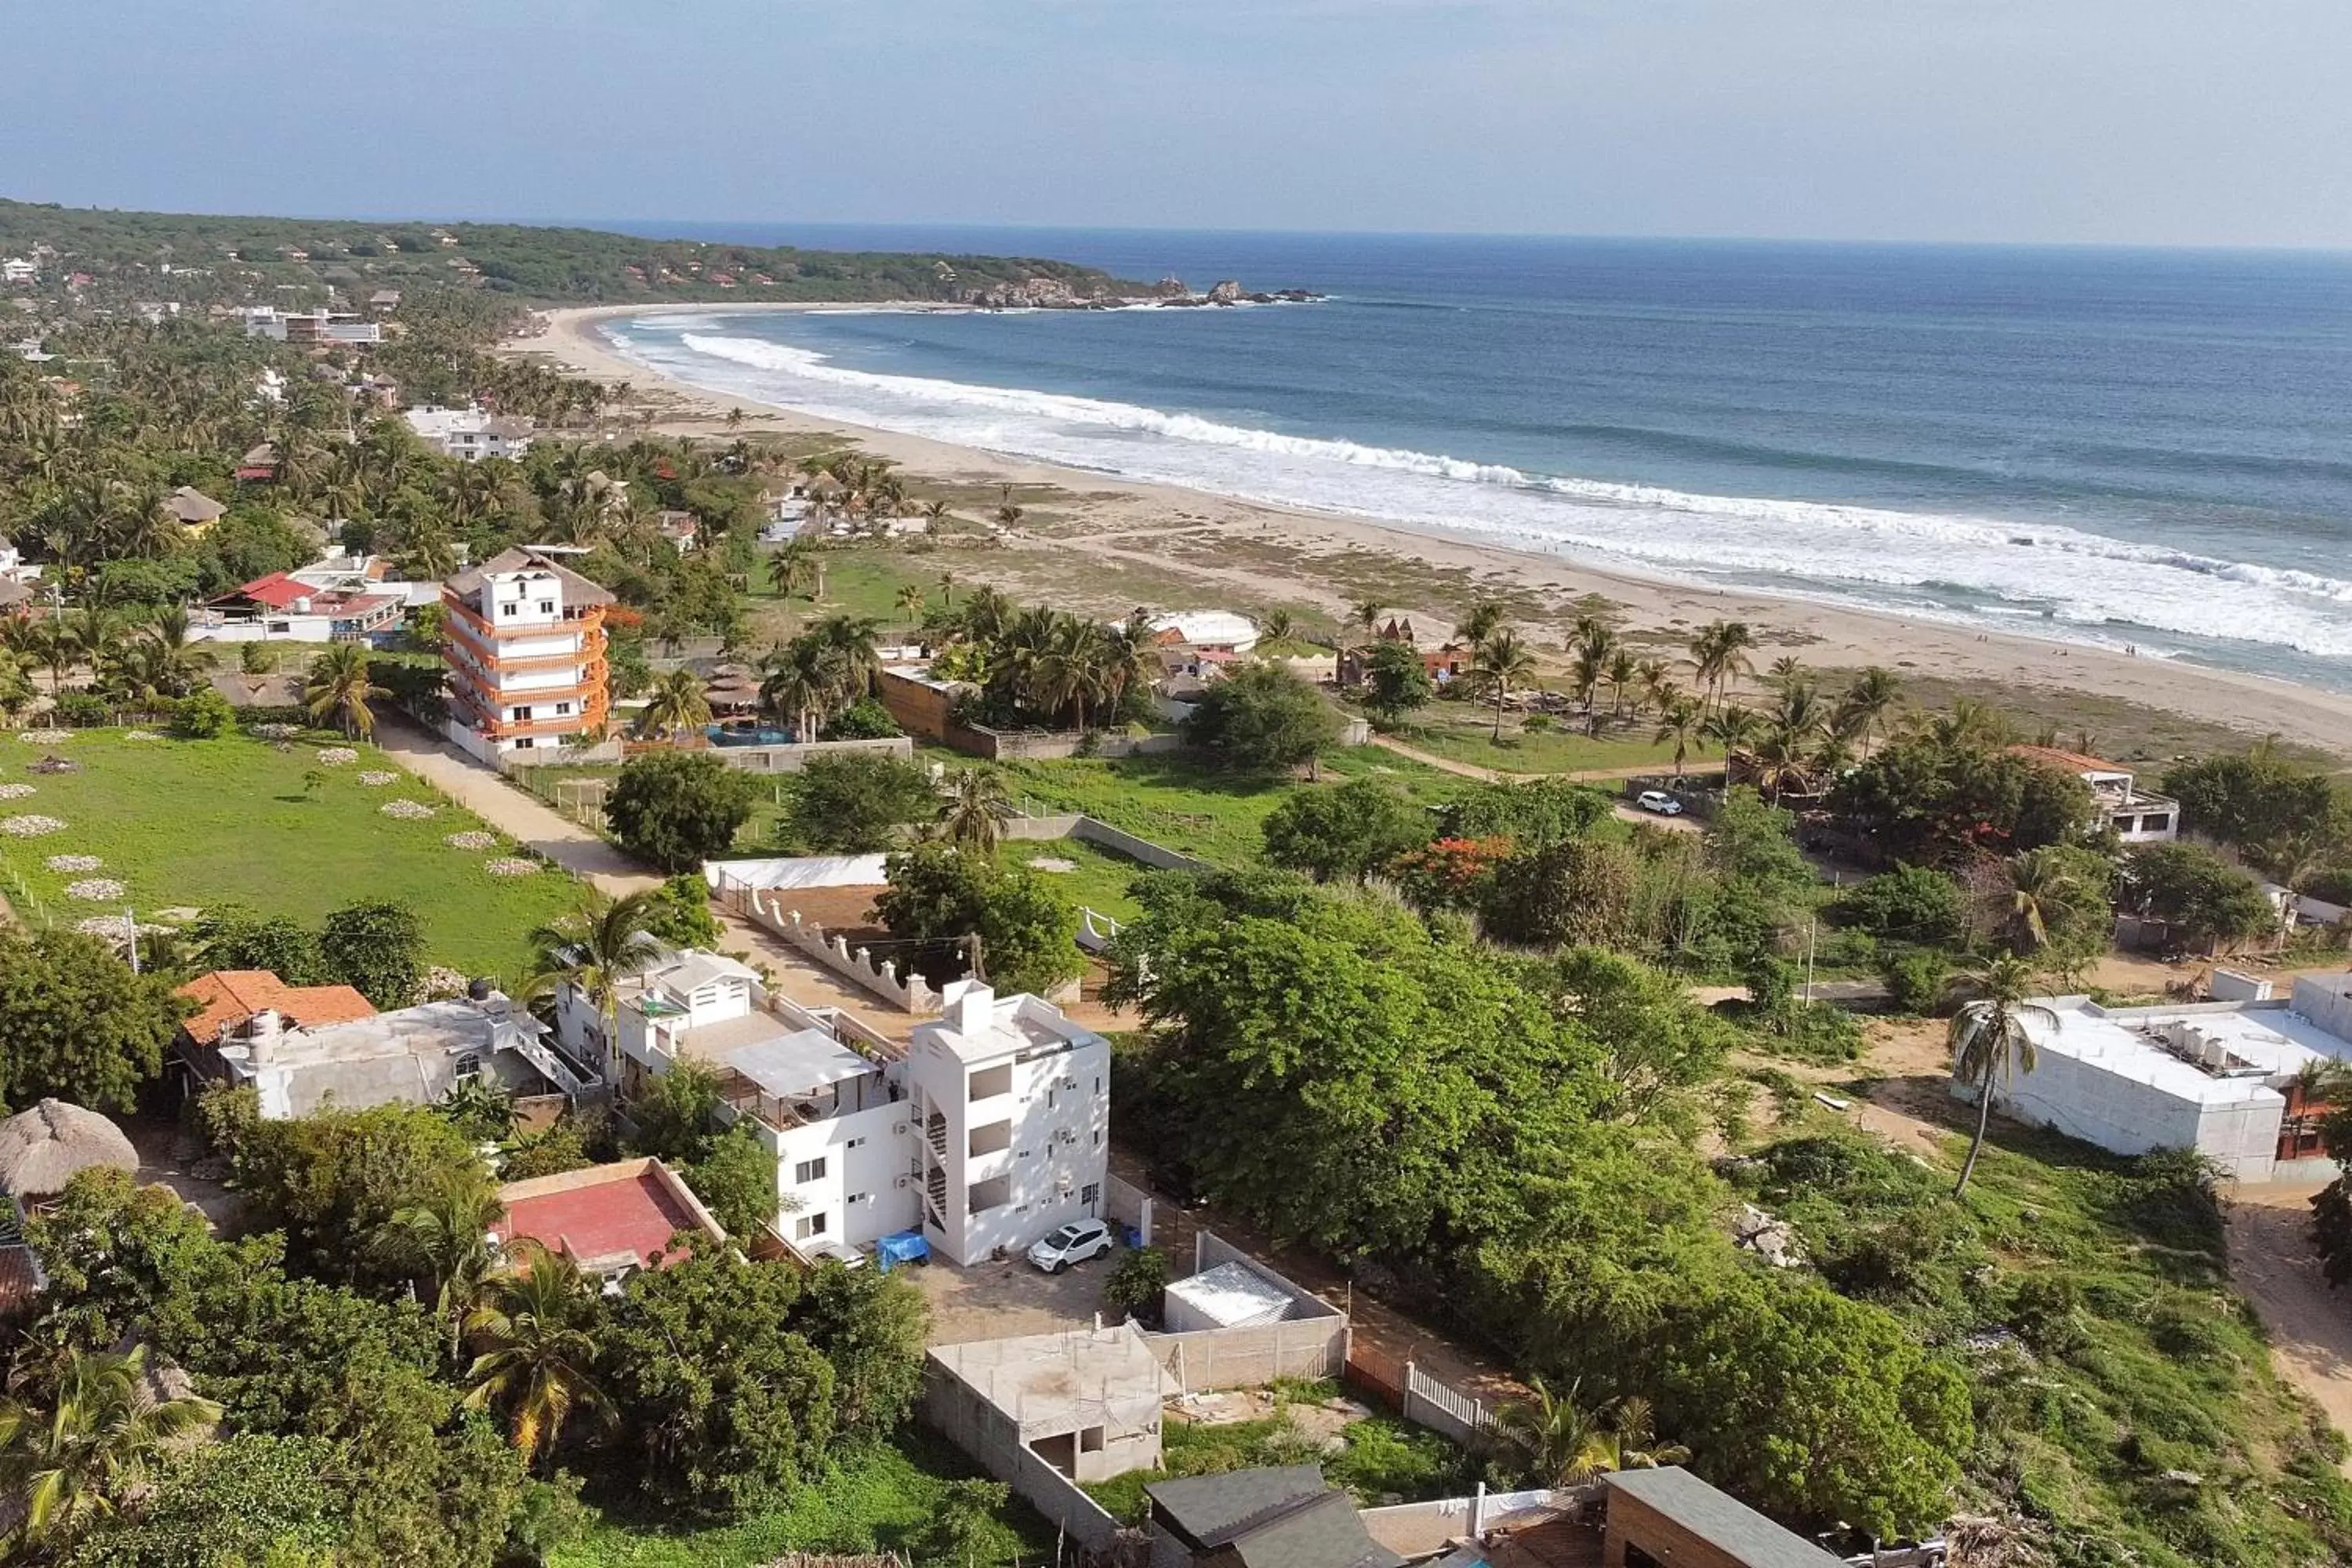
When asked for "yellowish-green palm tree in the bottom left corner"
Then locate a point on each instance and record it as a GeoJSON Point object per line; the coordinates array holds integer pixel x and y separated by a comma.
{"type": "Point", "coordinates": [100, 1440]}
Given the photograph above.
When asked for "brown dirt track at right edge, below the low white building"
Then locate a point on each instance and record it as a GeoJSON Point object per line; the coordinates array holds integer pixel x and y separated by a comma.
{"type": "Point", "coordinates": [2311, 1325]}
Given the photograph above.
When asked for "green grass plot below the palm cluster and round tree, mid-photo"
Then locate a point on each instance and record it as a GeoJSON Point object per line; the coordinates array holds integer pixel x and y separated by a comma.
{"type": "Point", "coordinates": [1175, 800]}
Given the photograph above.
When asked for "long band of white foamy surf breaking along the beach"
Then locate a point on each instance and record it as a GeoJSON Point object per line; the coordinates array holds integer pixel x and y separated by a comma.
{"type": "Point", "coordinates": [2076, 582]}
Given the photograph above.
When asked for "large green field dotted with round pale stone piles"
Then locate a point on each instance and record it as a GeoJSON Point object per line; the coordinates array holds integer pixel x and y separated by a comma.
{"type": "Point", "coordinates": [192, 824]}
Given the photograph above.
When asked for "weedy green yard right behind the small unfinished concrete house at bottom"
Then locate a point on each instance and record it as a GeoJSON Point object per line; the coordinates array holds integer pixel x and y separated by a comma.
{"type": "Point", "coordinates": [1379, 1461]}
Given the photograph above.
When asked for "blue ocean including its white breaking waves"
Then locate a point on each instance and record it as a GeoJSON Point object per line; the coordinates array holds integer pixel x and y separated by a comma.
{"type": "Point", "coordinates": [2102, 445]}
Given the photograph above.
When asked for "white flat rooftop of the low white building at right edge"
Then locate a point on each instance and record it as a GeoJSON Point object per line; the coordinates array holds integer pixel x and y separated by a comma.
{"type": "Point", "coordinates": [2266, 1038]}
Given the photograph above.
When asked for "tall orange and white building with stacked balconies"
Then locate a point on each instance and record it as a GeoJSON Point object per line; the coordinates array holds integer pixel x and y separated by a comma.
{"type": "Point", "coordinates": [526, 652]}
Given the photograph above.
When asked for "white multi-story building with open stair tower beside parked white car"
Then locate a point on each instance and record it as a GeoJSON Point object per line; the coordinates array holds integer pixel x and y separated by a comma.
{"type": "Point", "coordinates": [984, 1134]}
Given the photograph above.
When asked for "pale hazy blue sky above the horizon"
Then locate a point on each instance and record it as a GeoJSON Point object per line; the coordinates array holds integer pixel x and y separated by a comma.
{"type": "Point", "coordinates": [1991, 121]}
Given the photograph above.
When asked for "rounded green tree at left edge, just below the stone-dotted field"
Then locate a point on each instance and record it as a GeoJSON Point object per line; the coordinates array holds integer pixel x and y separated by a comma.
{"type": "Point", "coordinates": [76, 1024]}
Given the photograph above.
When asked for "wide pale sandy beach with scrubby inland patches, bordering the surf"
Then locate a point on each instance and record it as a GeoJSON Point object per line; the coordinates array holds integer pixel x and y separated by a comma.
{"type": "Point", "coordinates": [1245, 554]}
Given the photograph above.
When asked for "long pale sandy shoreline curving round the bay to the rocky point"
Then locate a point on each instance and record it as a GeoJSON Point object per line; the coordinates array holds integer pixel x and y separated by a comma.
{"type": "Point", "coordinates": [1135, 521]}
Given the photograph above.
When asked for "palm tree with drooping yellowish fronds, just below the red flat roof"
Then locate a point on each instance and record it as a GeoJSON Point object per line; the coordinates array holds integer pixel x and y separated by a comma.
{"type": "Point", "coordinates": [537, 1351]}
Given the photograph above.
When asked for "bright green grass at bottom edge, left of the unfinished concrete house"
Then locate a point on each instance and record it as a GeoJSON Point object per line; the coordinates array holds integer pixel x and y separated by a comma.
{"type": "Point", "coordinates": [876, 1501]}
